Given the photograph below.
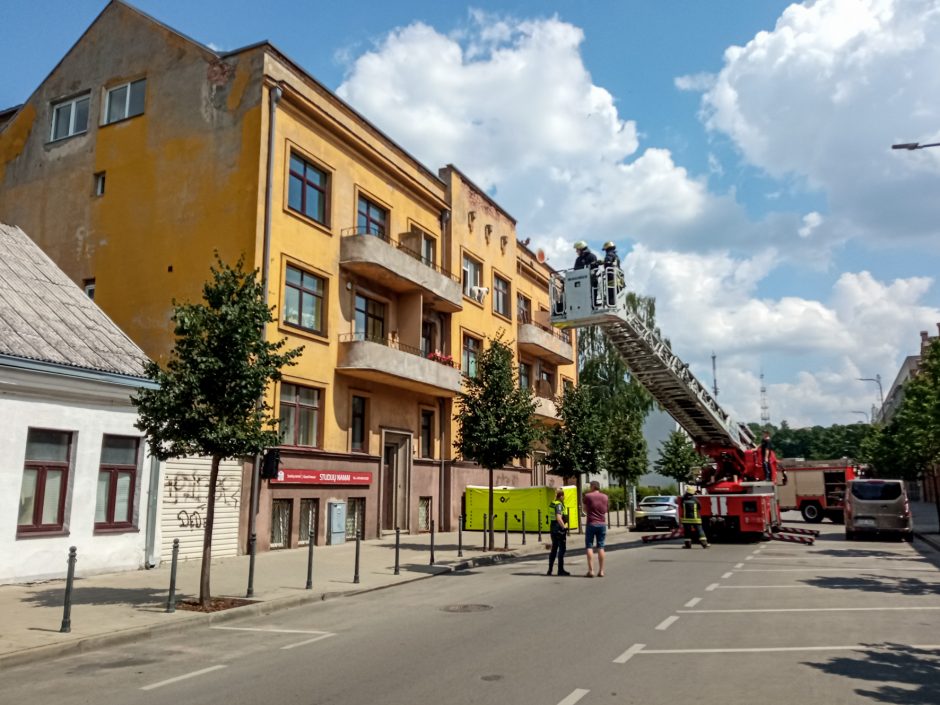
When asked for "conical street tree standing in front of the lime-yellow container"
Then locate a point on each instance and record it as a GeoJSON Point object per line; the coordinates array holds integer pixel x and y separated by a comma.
{"type": "Point", "coordinates": [494, 415]}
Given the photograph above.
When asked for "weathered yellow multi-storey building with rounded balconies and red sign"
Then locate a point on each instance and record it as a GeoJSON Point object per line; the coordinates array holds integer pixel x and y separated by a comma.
{"type": "Point", "coordinates": [145, 152]}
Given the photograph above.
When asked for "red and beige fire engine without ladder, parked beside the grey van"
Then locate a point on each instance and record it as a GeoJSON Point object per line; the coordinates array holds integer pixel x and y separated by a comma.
{"type": "Point", "coordinates": [815, 488]}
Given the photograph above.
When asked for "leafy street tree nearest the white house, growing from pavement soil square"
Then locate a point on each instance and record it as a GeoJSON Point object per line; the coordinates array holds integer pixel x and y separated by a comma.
{"type": "Point", "coordinates": [210, 396]}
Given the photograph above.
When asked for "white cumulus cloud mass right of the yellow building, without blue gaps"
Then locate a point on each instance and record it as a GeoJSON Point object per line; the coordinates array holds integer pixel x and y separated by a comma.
{"type": "Point", "coordinates": [817, 100]}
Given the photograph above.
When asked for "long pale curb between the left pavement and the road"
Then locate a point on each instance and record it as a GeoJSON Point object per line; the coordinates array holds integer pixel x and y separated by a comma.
{"type": "Point", "coordinates": [193, 620]}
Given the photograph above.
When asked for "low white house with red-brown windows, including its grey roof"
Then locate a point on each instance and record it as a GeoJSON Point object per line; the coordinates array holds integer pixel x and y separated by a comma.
{"type": "Point", "coordinates": [74, 471]}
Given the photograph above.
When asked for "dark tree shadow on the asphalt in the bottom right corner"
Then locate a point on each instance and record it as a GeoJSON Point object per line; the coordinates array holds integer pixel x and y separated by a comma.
{"type": "Point", "coordinates": [898, 674]}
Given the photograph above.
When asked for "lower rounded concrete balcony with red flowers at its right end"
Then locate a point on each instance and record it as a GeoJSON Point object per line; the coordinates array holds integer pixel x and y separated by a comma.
{"type": "Point", "coordinates": [388, 361]}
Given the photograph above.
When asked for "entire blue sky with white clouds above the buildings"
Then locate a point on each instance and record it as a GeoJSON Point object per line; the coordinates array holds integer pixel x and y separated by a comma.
{"type": "Point", "coordinates": [738, 151]}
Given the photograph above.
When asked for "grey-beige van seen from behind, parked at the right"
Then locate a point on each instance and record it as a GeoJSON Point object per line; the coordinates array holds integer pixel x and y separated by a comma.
{"type": "Point", "coordinates": [877, 507]}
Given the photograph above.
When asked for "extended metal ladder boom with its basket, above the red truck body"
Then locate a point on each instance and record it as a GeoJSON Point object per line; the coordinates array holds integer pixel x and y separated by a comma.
{"type": "Point", "coordinates": [582, 297]}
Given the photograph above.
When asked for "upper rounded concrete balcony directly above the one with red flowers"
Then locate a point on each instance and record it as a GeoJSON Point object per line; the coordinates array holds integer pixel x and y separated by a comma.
{"type": "Point", "coordinates": [399, 268]}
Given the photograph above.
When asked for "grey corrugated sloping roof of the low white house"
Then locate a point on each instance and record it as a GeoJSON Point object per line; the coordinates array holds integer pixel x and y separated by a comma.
{"type": "Point", "coordinates": [46, 317]}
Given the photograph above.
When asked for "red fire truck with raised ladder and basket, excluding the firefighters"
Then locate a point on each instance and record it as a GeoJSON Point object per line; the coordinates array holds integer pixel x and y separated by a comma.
{"type": "Point", "coordinates": [737, 500]}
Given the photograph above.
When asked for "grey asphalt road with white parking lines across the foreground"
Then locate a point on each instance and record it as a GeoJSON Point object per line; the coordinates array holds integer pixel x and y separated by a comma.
{"type": "Point", "coordinates": [772, 622]}
